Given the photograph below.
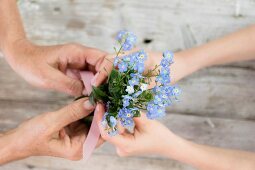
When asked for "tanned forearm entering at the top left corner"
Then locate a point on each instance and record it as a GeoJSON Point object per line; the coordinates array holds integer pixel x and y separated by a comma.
{"type": "Point", "coordinates": [11, 28]}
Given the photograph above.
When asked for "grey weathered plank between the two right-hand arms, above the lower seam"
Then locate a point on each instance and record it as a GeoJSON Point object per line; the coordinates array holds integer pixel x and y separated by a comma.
{"type": "Point", "coordinates": [219, 92]}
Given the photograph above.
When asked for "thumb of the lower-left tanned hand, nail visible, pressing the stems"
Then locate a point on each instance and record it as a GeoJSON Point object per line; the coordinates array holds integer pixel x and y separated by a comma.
{"type": "Point", "coordinates": [70, 113]}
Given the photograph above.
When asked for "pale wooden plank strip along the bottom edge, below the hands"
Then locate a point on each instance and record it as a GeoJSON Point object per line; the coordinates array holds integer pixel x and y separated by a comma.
{"type": "Point", "coordinates": [97, 162]}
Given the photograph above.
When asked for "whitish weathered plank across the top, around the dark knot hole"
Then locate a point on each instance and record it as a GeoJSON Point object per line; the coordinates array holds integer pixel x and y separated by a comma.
{"type": "Point", "coordinates": [93, 22]}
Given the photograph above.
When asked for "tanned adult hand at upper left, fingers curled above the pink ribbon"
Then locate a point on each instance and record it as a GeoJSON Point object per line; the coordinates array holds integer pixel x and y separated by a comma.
{"type": "Point", "coordinates": [47, 66]}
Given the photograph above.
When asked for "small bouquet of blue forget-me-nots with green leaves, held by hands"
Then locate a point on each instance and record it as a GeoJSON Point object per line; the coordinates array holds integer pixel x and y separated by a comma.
{"type": "Point", "coordinates": [126, 91]}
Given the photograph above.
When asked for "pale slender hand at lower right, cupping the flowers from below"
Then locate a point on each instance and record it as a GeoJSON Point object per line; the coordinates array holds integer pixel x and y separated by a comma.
{"type": "Point", "coordinates": [149, 137]}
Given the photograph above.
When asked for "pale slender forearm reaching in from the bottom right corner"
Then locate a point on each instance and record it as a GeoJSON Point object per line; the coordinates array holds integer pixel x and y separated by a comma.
{"type": "Point", "coordinates": [210, 158]}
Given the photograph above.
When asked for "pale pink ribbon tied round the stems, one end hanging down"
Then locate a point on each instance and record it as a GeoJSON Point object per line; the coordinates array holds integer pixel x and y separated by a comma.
{"type": "Point", "coordinates": [94, 132]}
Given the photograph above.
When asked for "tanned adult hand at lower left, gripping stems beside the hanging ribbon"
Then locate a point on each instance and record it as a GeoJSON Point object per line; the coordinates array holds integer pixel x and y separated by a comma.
{"type": "Point", "coordinates": [58, 134]}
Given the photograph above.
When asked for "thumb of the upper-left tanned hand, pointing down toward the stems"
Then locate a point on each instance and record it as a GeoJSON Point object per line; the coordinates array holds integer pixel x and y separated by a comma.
{"type": "Point", "coordinates": [61, 82]}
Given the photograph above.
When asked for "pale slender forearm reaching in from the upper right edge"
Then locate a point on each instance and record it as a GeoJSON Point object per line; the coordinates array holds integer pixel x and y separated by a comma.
{"type": "Point", "coordinates": [238, 46]}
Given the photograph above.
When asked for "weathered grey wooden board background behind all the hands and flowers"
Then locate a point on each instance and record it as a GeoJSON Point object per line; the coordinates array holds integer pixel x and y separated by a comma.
{"type": "Point", "coordinates": [218, 103]}
